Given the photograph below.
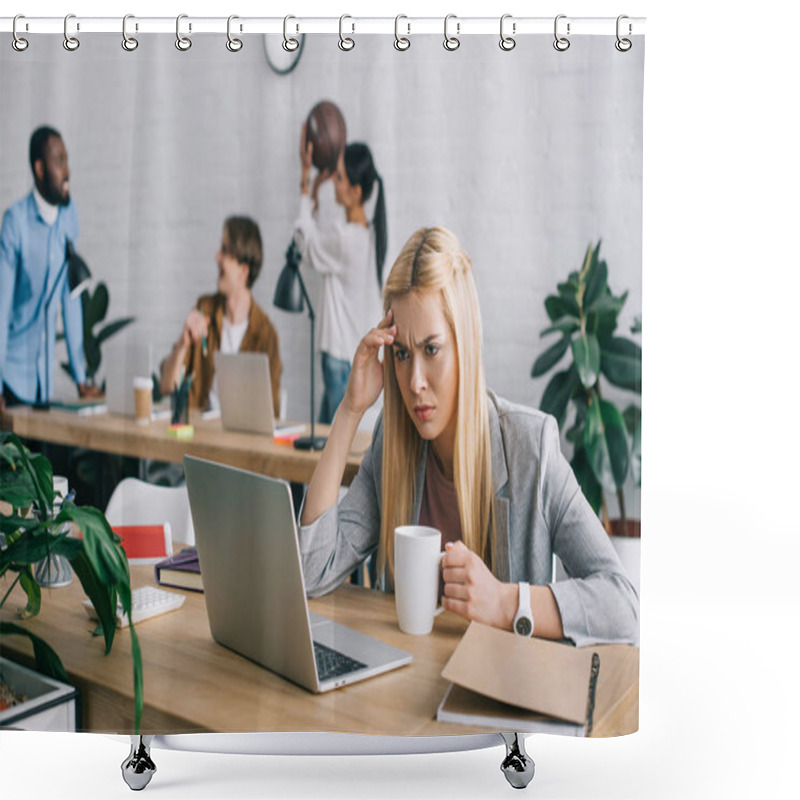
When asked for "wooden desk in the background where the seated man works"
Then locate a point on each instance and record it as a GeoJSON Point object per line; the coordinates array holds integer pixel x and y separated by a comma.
{"type": "Point", "coordinates": [109, 433]}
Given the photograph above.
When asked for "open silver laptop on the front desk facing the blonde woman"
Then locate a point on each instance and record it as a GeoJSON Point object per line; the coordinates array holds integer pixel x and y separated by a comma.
{"type": "Point", "coordinates": [255, 596]}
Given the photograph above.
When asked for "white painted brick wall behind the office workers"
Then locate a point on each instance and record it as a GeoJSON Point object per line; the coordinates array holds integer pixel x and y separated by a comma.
{"type": "Point", "coordinates": [528, 156]}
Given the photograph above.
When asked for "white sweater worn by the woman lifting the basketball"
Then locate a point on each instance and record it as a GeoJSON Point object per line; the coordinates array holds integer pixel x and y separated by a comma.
{"type": "Point", "coordinates": [344, 255]}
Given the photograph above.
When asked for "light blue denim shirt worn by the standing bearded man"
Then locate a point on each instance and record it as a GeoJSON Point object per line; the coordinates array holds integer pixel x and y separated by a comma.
{"type": "Point", "coordinates": [31, 257]}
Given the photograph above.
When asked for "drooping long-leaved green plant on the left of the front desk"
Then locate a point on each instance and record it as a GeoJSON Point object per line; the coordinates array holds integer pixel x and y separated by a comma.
{"type": "Point", "coordinates": [29, 533]}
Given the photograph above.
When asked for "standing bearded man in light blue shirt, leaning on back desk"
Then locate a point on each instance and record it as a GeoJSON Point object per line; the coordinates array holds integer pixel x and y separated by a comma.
{"type": "Point", "coordinates": [33, 244]}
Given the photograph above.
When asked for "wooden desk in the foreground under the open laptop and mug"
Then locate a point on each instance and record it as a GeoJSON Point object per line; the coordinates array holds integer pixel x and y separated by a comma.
{"type": "Point", "coordinates": [192, 684]}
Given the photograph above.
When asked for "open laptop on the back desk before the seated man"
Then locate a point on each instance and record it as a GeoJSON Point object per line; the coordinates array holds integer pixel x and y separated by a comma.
{"type": "Point", "coordinates": [245, 392]}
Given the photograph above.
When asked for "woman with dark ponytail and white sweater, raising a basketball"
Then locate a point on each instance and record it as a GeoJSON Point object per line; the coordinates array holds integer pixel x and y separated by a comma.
{"type": "Point", "coordinates": [349, 256]}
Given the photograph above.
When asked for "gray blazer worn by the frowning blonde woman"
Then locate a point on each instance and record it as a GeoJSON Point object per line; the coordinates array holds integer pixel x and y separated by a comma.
{"type": "Point", "coordinates": [539, 510]}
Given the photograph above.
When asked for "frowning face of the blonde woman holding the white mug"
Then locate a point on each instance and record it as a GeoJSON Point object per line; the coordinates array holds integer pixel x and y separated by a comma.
{"type": "Point", "coordinates": [426, 365]}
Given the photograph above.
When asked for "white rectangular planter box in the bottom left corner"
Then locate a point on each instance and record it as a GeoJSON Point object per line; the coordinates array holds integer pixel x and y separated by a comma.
{"type": "Point", "coordinates": [50, 705]}
